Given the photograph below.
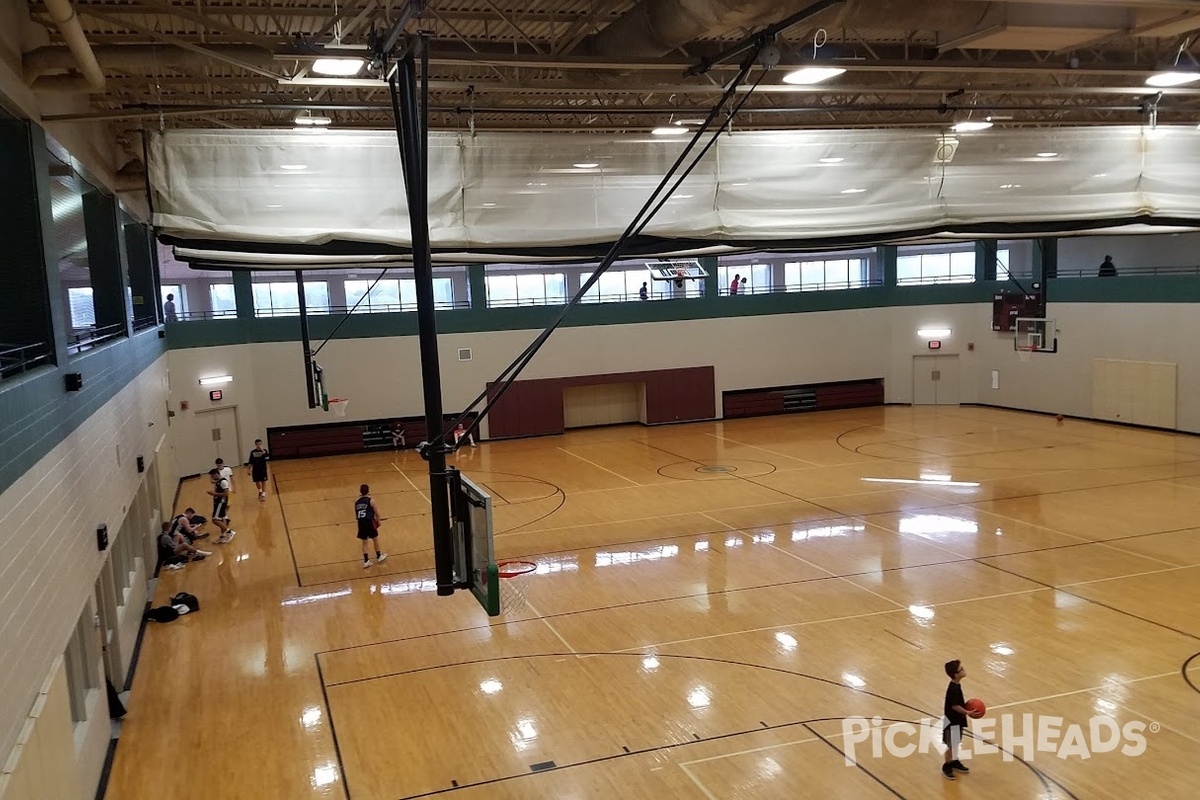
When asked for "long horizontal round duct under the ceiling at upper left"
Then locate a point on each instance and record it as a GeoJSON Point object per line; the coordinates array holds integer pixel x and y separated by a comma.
{"type": "Point", "coordinates": [137, 59]}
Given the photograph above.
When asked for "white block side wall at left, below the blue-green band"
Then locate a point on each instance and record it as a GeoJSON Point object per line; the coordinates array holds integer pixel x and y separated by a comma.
{"type": "Point", "coordinates": [49, 521]}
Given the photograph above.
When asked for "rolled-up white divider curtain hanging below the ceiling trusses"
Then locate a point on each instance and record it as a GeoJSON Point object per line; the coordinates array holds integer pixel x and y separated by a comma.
{"type": "Point", "coordinates": [497, 191]}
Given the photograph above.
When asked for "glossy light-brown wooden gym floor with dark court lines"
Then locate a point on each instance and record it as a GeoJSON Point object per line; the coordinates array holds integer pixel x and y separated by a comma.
{"type": "Point", "coordinates": [711, 601]}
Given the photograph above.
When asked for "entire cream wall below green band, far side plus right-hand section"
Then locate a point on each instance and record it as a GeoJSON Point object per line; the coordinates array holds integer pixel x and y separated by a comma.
{"type": "Point", "coordinates": [382, 376]}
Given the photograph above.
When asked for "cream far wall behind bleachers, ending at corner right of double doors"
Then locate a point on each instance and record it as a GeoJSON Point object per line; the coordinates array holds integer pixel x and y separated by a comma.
{"type": "Point", "coordinates": [382, 376]}
